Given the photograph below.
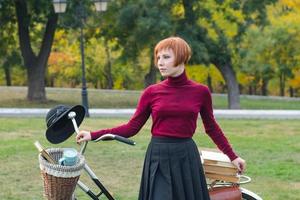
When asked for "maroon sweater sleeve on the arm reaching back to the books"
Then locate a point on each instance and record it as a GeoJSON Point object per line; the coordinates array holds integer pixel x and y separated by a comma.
{"type": "Point", "coordinates": [212, 128]}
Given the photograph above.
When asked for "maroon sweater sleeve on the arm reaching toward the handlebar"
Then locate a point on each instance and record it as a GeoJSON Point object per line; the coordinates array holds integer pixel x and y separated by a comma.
{"type": "Point", "coordinates": [136, 122]}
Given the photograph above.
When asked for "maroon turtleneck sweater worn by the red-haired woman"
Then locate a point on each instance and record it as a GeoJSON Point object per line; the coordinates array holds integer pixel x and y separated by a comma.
{"type": "Point", "coordinates": [174, 105]}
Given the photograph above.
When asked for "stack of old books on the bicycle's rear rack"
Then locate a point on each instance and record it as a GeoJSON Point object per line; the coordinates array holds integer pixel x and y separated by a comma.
{"type": "Point", "coordinates": [217, 166]}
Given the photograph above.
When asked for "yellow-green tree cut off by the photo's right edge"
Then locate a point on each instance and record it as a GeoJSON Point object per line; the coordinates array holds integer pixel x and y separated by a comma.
{"type": "Point", "coordinates": [285, 30]}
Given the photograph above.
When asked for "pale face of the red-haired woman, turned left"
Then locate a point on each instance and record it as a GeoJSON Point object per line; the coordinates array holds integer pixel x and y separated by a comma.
{"type": "Point", "coordinates": [165, 63]}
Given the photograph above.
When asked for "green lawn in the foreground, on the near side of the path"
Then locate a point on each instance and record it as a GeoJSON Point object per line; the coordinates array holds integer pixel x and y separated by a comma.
{"type": "Point", "coordinates": [271, 148]}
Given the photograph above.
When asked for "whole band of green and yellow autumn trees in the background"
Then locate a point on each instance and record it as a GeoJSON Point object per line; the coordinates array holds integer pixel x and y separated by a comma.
{"type": "Point", "coordinates": [253, 45]}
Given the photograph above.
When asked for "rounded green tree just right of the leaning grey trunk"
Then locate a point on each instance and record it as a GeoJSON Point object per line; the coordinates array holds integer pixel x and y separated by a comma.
{"type": "Point", "coordinates": [256, 58]}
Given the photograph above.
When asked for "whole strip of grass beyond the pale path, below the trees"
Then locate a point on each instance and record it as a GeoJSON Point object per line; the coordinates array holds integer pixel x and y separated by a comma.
{"type": "Point", "coordinates": [16, 97]}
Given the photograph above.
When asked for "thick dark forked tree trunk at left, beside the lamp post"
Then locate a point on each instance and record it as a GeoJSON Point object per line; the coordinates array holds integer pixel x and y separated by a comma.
{"type": "Point", "coordinates": [35, 65]}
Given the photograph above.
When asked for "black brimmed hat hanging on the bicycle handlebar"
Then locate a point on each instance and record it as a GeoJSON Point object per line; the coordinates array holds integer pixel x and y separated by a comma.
{"type": "Point", "coordinates": [59, 126]}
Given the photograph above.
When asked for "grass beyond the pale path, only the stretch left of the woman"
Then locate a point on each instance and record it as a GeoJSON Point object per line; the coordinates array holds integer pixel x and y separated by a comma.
{"type": "Point", "coordinates": [16, 97]}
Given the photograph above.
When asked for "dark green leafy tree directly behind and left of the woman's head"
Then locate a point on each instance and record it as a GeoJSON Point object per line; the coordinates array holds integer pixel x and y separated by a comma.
{"type": "Point", "coordinates": [137, 25]}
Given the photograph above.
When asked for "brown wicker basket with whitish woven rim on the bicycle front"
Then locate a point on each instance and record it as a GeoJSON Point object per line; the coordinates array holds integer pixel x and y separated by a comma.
{"type": "Point", "coordinates": [59, 181]}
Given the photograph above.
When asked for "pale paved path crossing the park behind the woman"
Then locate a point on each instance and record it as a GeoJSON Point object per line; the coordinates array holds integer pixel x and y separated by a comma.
{"type": "Point", "coordinates": [233, 114]}
